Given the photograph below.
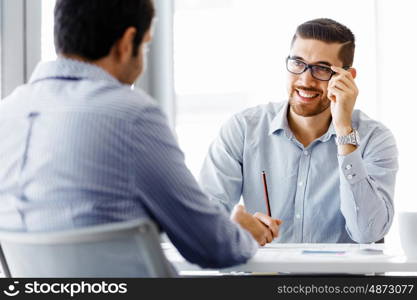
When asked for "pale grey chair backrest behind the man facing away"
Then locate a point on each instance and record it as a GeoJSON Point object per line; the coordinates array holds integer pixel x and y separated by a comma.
{"type": "Point", "coordinates": [128, 249]}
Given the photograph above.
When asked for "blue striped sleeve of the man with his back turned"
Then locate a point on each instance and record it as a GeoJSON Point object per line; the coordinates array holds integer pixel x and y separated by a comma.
{"type": "Point", "coordinates": [202, 231]}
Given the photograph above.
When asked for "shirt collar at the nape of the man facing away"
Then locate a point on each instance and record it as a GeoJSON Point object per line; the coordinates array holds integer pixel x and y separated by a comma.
{"type": "Point", "coordinates": [65, 67]}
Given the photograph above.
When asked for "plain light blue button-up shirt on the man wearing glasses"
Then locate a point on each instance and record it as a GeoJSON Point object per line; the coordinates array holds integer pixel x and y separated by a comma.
{"type": "Point", "coordinates": [320, 196]}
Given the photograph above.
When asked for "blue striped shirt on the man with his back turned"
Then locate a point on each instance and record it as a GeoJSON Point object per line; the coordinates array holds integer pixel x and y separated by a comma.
{"type": "Point", "coordinates": [79, 148]}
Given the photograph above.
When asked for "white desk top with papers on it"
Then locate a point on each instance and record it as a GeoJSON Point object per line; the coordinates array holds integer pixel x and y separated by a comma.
{"type": "Point", "coordinates": [289, 258]}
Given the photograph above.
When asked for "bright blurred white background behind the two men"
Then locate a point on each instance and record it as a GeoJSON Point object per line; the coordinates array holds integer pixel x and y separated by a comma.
{"type": "Point", "coordinates": [213, 58]}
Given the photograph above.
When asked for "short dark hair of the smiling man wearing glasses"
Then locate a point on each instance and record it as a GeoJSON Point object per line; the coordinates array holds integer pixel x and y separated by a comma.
{"type": "Point", "coordinates": [329, 31]}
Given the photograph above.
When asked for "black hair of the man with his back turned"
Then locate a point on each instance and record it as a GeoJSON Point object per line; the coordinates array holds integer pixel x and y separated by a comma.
{"type": "Point", "coordinates": [90, 28]}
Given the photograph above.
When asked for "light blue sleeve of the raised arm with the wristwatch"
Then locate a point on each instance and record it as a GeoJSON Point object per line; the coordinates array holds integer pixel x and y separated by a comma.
{"type": "Point", "coordinates": [367, 182]}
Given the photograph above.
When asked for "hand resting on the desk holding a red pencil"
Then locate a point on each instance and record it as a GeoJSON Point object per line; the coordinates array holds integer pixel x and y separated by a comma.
{"type": "Point", "coordinates": [263, 228]}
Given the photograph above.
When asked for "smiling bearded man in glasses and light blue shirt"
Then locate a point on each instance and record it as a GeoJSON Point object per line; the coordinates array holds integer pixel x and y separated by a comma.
{"type": "Point", "coordinates": [330, 169]}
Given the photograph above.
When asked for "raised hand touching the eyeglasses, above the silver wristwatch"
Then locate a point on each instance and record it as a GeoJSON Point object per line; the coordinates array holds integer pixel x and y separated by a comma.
{"type": "Point", "coordinates": [342, 91]}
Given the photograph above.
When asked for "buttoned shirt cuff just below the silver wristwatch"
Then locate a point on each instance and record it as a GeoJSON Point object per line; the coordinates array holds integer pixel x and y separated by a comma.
{"type": "Point", "coordinates": [352, 167]}
